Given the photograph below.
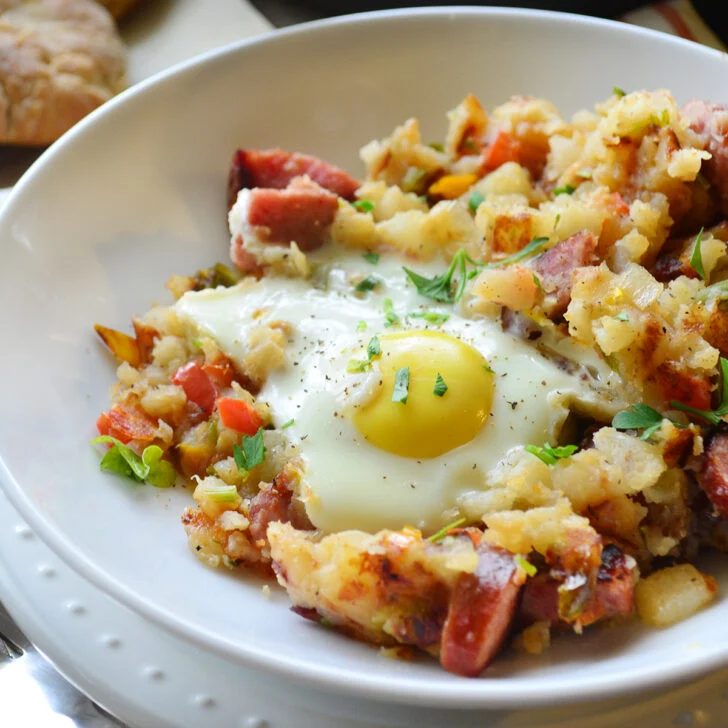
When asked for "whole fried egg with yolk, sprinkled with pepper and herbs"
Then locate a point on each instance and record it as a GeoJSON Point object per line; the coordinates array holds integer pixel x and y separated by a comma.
{"type": "Point", "coordinates": [398, 405]}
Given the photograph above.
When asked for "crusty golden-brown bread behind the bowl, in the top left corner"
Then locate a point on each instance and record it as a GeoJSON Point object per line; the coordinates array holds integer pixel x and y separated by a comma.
{"type": "Point", "coordinates": [59, 60]}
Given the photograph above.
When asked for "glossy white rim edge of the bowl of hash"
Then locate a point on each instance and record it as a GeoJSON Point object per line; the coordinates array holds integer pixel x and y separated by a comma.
{"type": "Point", "coordinates": [479, 693]}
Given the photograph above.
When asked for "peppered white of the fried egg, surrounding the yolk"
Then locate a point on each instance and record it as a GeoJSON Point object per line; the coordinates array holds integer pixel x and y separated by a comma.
{"type": "Point", "coordinates": [351, 484]}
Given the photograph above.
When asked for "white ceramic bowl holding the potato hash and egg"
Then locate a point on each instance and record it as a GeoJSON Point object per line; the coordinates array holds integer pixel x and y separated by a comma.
{"type": "Point", "coordinates": [137, 192]}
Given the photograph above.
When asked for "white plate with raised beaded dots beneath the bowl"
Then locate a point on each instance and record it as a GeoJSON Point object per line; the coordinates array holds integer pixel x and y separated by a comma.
{"type": "Point", "coordinates": [150, 680]}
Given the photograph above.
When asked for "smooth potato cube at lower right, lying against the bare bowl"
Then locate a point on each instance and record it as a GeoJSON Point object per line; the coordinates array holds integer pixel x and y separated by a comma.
{"type": "Point", "coordinates": [673, 594]}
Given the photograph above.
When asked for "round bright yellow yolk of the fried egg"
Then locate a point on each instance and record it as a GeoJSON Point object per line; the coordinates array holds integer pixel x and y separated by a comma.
{"type": "Point", "coordinates": [426, 425]}
